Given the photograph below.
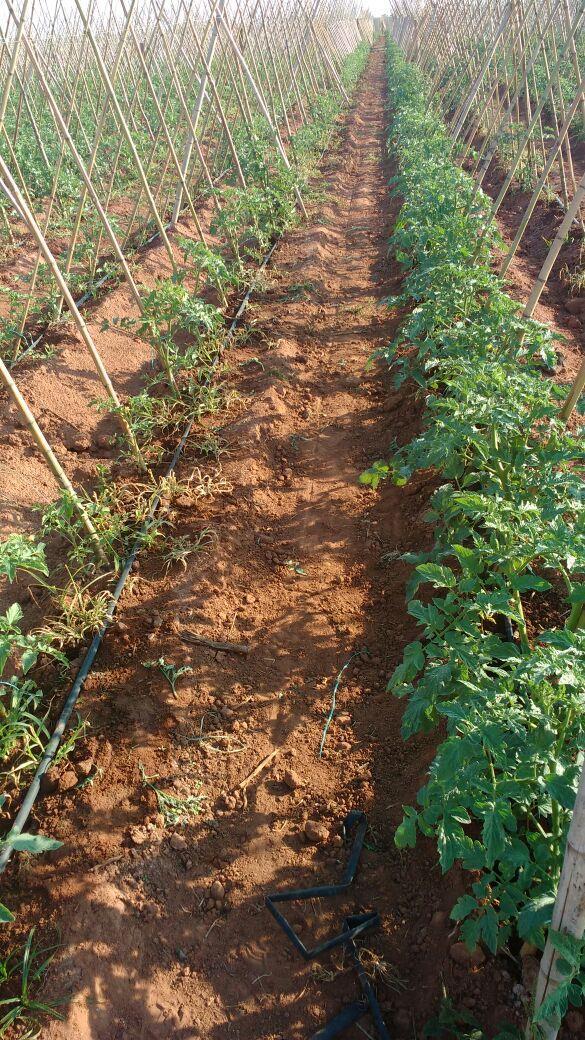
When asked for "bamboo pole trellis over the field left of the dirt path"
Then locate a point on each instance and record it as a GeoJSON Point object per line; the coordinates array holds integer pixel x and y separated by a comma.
{"type": "Point", "coordinates": [119, 119]}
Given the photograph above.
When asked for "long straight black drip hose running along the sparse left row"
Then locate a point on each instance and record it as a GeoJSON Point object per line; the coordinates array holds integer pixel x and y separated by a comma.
{"type": "Point", "coordinates": [54, 744]}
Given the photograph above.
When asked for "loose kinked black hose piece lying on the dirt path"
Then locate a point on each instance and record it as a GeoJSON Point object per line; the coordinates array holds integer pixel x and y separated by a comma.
{"type": "Point", "coordinates": [354, 926]}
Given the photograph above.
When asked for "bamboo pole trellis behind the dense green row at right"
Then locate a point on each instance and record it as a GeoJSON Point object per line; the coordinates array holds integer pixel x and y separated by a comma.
{"type": "Point", "coordinates": [508, 80]}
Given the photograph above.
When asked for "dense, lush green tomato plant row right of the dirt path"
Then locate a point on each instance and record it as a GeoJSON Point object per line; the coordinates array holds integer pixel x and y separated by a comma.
{"type": "Point", "coordinates": [506, 693]}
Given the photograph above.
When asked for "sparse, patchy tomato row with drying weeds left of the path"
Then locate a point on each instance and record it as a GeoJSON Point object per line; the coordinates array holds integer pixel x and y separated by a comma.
{"type": "Point", "coordinates": [187, 333]}
